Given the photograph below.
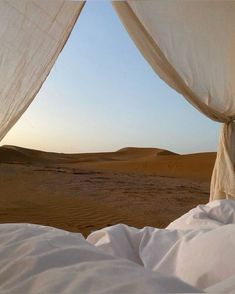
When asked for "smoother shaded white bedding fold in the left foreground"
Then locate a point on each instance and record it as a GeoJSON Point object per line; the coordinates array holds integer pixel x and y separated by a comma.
{"type": "Point", "coordinates": [38, 259]}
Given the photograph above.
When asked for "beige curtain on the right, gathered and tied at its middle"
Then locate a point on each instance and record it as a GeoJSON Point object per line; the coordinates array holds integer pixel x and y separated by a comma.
{"type": "Point", "coordinates": [191, 46]}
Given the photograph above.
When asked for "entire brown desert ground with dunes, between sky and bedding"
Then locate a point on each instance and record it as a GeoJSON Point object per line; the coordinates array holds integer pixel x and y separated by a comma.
{"type": "Point", "coordinates": [85, 192]}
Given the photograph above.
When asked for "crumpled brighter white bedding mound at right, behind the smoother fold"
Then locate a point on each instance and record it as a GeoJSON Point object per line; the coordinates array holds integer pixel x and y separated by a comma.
{"type": "Point", "coordinates": [198, 248]}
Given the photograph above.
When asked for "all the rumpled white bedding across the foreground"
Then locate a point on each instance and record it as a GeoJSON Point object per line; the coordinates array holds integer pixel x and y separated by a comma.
{"type": "Point", "coordinates": [194, 252]}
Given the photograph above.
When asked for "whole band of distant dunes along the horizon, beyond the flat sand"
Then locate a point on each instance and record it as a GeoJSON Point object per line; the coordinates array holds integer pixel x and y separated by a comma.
{"type": "Point", "coordinates": [156, 161]}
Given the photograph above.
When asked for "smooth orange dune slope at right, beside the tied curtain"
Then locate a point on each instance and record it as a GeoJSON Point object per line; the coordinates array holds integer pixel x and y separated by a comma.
{"type": "Point", "coordinates": [192, 166]}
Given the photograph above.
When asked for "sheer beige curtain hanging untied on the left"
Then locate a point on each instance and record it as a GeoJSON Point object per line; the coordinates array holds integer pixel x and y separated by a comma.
{"type": "Point", "coordinates": [32, 34]}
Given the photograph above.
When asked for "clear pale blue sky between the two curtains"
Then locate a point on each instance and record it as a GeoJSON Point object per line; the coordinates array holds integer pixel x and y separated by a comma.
{"type": "Point", "coordinates": [102, 95]}
